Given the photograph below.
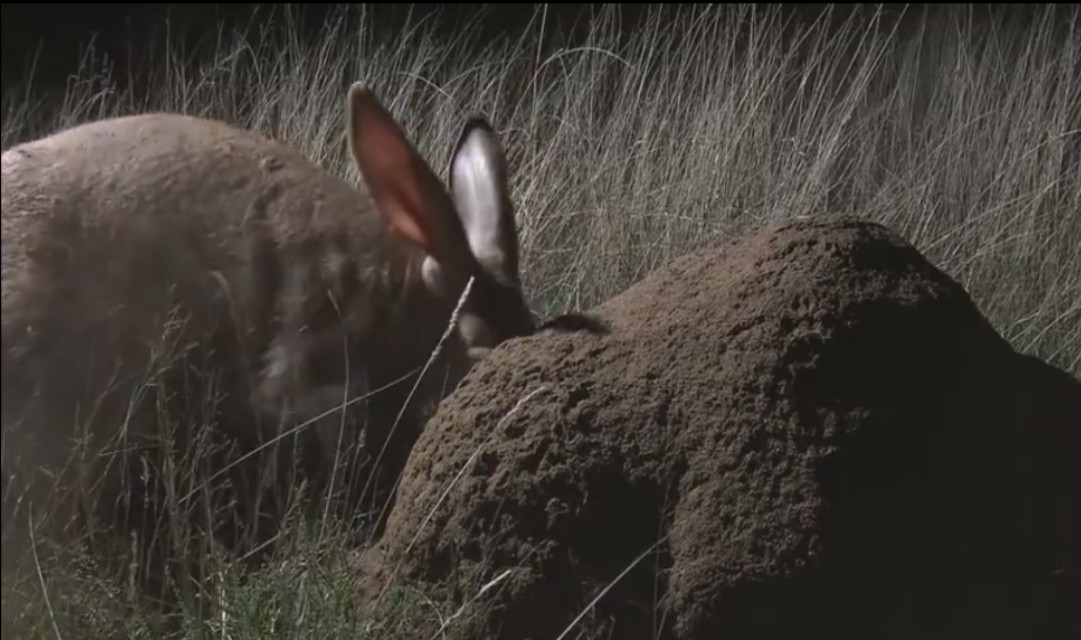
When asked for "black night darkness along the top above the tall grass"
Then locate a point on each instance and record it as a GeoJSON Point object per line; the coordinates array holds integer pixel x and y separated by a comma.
{"type": "Point", "coordinates": [48, 38]}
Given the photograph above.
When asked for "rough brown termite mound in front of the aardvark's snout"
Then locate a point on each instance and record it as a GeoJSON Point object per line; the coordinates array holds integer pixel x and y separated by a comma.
{"type": "Point", "coordinates": [812, 432]}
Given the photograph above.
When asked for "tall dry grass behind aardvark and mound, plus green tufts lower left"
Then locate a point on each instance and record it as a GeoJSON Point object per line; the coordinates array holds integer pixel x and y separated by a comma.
{"type": "Point", "coordinates": [629, 151]}
